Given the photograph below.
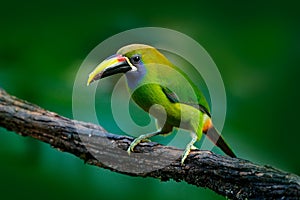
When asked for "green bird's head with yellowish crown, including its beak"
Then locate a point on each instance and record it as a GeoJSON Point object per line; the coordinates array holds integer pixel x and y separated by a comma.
{"type": "Point", "coordinates": [129, 59]}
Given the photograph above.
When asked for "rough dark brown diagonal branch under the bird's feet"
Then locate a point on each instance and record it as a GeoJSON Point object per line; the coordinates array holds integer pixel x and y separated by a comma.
{"type": "Point", "coordinates": [231, 177]}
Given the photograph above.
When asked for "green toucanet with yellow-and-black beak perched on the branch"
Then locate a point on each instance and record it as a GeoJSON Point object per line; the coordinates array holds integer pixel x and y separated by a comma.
{"type": "Point", "coordinates": [161, 88]}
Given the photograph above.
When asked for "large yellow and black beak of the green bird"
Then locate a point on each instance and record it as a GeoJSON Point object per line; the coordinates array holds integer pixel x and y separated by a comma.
{"type": "Point", "coordinates": [112, 65]}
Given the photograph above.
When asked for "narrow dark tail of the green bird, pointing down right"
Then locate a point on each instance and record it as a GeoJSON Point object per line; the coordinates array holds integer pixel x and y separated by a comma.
{"type": "Point", "coordinates": [219, 141]}
